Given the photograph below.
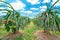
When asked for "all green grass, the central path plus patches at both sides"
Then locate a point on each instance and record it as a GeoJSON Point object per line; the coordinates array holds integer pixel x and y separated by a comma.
{"type": "Point", "coordinates": [28, 32]}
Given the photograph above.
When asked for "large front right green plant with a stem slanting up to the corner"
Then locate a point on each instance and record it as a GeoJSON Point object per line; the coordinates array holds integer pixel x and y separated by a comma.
{"type": "Point", "coordinates": [49, 18]}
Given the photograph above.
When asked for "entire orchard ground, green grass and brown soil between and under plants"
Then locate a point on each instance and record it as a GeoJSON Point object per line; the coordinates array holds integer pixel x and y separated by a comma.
{"type": "Point", "coordinates": [31, 33]}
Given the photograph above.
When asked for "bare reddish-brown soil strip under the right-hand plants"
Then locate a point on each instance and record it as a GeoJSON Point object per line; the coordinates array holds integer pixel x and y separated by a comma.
{"type": "Point", "coordinates": [42, 36]}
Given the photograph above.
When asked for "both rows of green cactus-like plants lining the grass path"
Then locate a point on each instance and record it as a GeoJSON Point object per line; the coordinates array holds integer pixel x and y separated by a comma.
{"type": "Point", "coordinates": [48, 20]}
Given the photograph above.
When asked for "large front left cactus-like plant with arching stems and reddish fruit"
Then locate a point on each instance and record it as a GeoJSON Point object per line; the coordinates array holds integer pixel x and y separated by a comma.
{"type": "Point", "coordinates": [11, 16]}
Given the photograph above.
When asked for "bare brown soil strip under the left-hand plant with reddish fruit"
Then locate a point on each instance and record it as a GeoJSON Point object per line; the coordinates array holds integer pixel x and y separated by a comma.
{"type": "Point", "coordinates": [12, 36]}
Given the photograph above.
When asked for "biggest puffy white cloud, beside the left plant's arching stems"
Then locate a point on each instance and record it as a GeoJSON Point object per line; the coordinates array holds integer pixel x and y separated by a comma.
{"type": "Point", "coordinates": [18, 5]}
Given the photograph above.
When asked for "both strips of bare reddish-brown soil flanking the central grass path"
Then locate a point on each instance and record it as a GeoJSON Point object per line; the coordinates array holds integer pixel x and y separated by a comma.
{"type": "Point", "coordinates": [39, 35]}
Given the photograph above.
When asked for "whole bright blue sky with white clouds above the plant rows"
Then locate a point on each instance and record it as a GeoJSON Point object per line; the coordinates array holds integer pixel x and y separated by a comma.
{"type": "Point", "coordinates": [31, 8]}
